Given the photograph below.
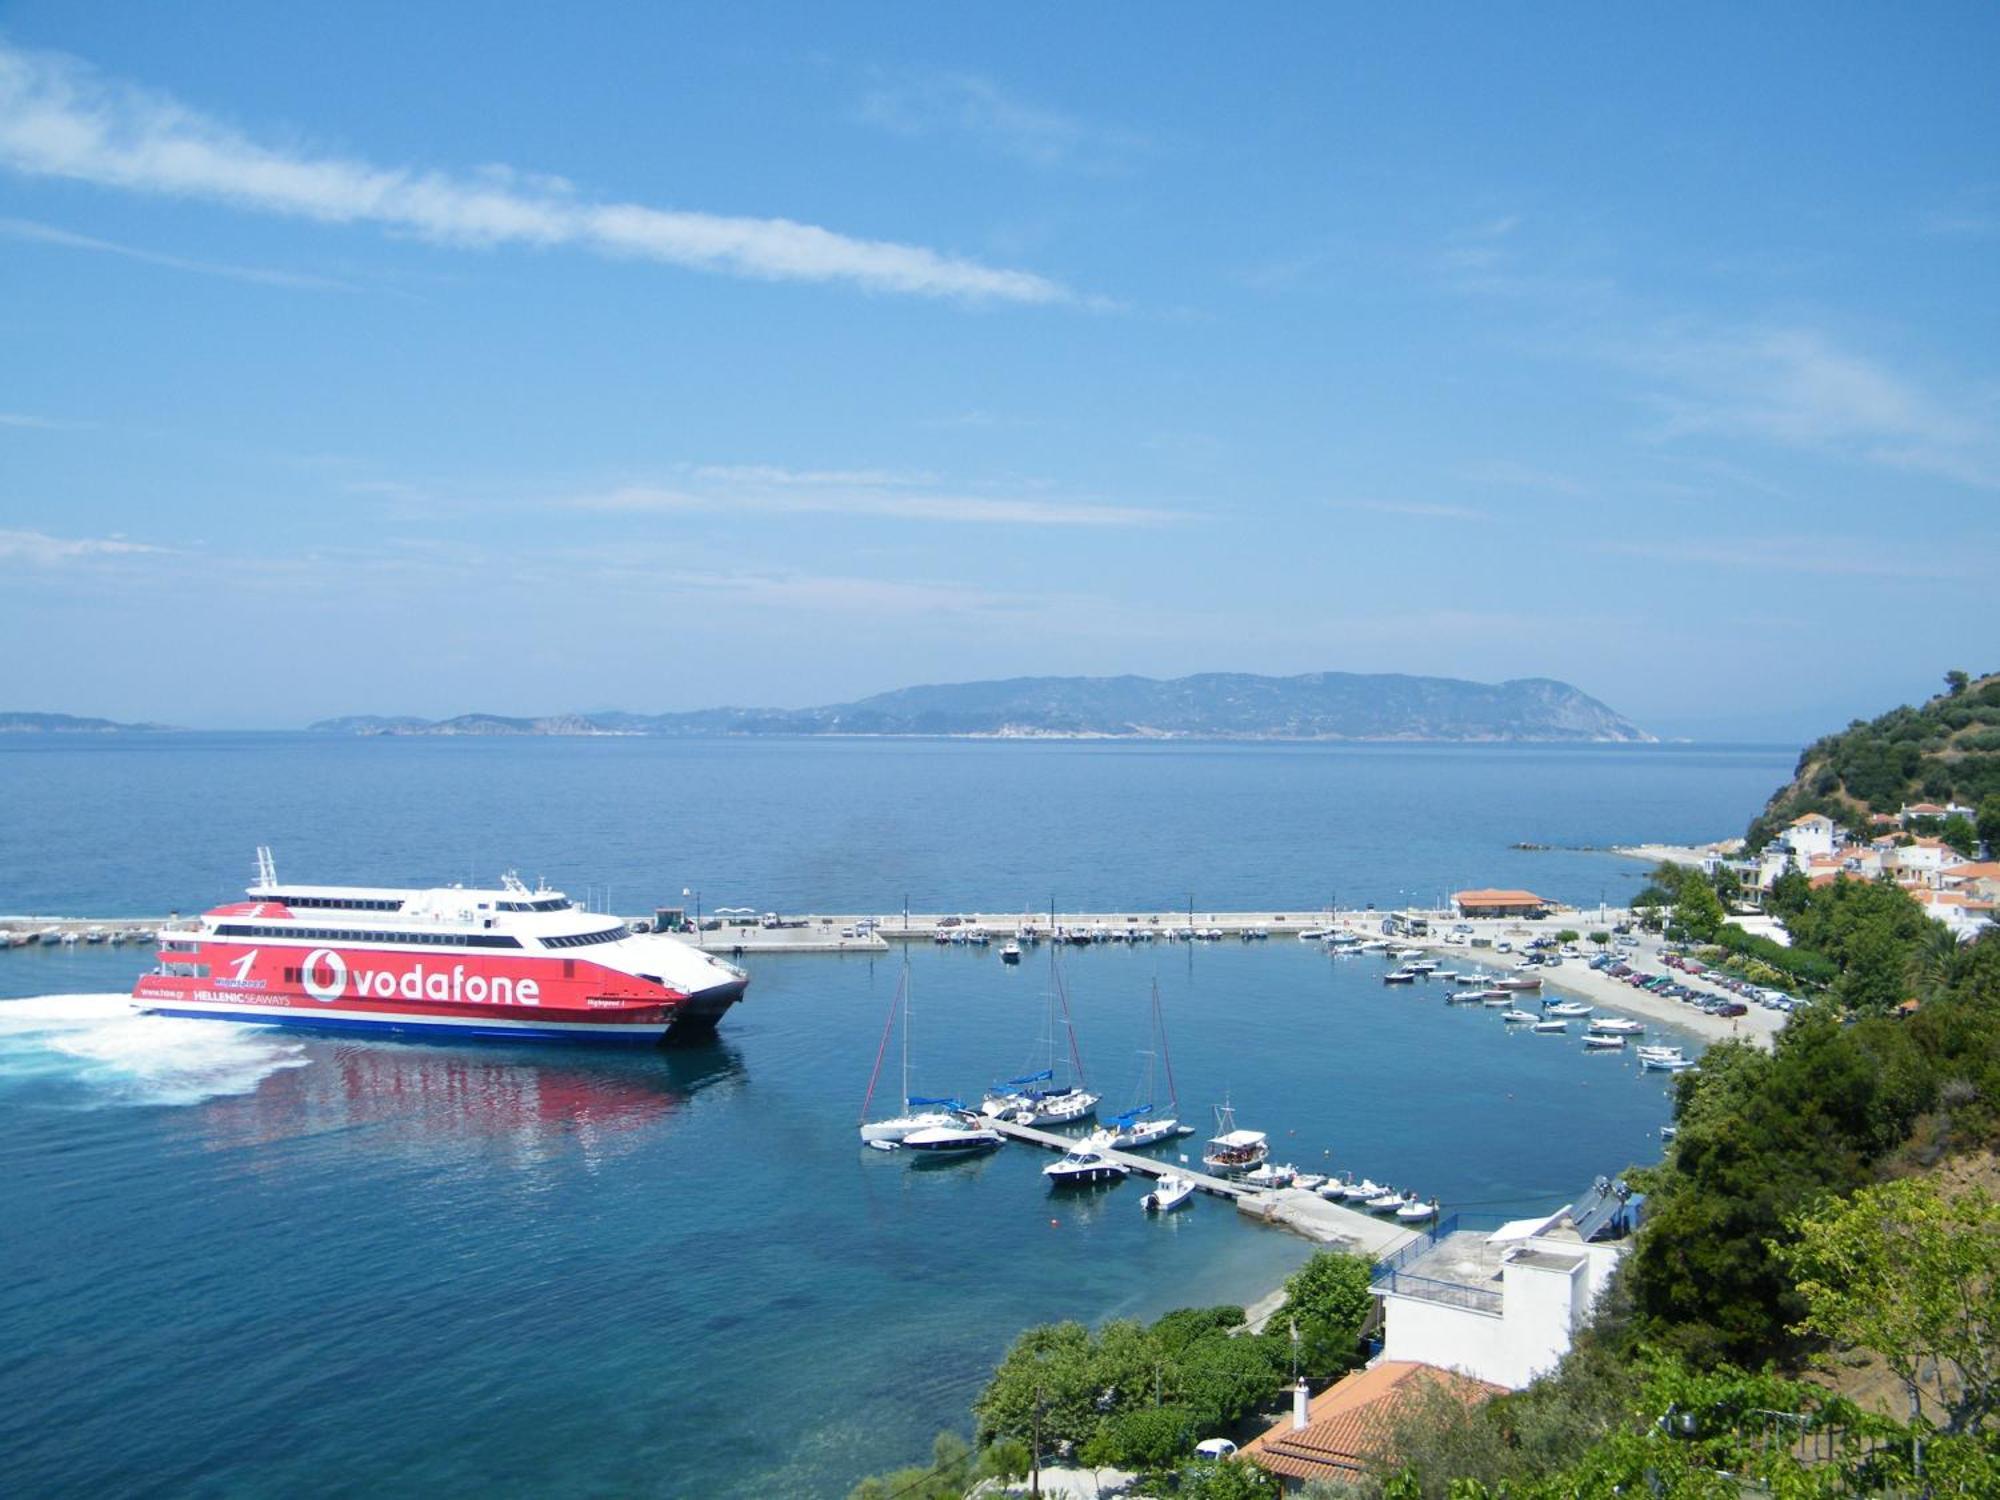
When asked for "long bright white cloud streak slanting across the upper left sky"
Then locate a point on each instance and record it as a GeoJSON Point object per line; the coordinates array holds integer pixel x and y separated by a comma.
{"type": "Point", "coordinates": [61, 119]}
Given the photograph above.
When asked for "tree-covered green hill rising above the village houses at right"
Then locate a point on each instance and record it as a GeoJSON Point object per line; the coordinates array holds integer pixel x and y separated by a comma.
{"type": "Point", "coordinates": [1945, 751]}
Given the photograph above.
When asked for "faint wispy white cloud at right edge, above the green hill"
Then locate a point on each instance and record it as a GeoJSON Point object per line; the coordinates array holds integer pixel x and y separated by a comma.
{"type": "Point", "coordinates": [1799, 389]}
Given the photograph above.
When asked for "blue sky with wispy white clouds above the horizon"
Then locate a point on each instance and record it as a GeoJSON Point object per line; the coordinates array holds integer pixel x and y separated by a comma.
{"type": "Point", "coordinates": [377, 359]}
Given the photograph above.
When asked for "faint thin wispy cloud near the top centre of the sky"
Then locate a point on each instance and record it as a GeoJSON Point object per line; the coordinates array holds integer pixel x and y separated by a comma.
{"type": "Point", "coordinates": [923, 103]}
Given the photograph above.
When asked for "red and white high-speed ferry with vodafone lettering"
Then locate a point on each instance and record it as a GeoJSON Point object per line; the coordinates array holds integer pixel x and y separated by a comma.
{"type": "Point", "coordinates": [445, 963]}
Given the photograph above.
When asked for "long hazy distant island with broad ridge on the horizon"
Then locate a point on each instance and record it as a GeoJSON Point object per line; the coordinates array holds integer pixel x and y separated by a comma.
{"type": "Point", "coordinates": [1209, 707]}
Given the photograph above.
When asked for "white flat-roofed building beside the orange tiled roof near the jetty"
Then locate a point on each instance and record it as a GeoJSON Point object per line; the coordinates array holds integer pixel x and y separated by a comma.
{"type": "Point", "coordinates": [1499, 1307]}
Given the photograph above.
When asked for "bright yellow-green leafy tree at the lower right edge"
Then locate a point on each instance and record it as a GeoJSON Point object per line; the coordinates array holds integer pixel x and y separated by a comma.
{"type": "Point", "coordinates": [1913, 1275]}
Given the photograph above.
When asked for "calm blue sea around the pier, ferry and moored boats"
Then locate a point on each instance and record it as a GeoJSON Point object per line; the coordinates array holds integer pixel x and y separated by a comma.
{"type": "Point", "coordinates": [251, 1263]}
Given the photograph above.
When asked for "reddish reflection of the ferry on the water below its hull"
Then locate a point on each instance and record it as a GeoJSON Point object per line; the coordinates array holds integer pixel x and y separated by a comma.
{"type": "Point", "coordinates": [525, 1103]}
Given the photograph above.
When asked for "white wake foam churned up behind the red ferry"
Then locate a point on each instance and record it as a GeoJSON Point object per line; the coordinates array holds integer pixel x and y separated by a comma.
{"type": "Point", "coordinates": [129, 1059]}
